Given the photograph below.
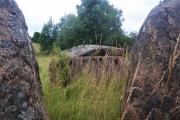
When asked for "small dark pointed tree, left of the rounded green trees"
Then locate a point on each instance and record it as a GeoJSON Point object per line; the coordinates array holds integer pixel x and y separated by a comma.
{"type": "Point", "coordinates": [48, 35]}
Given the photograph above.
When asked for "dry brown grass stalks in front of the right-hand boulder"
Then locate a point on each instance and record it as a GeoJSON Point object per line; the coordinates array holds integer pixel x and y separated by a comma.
{"type": "Point", "coordinates": [167, 74]}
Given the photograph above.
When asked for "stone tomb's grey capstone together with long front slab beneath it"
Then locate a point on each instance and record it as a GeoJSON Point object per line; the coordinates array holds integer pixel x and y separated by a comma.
{"type": "Point", "coordinates": [100, 61]}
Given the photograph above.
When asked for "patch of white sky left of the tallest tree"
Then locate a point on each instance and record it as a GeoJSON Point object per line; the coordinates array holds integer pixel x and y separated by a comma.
{"type": "Point", "coordinates": [38, 12]}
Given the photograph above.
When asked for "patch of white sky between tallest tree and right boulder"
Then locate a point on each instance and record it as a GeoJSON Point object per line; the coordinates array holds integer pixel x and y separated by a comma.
{"type": "Point", "coordinates": [134, 12]}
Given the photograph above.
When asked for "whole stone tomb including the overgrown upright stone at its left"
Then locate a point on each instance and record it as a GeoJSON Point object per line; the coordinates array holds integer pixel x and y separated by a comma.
{"type": "Point", "coordinates": [99, 61]}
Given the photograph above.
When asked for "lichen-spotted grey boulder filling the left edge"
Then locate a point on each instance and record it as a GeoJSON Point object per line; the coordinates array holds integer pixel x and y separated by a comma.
{"type": "Point", "coordinates": [21, 96]}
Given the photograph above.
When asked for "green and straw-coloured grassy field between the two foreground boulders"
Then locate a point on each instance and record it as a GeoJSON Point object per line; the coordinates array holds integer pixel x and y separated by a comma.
{"type": "Point", "coordinates": [83, 99]}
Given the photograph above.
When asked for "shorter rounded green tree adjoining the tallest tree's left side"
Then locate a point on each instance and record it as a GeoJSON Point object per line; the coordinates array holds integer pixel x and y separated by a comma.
{"type": "Point", "coordinates": [70, 32]}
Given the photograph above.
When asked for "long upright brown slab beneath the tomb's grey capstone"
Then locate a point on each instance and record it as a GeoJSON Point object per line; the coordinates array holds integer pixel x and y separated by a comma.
{"type": "Point", "coordinates": [100, 67]}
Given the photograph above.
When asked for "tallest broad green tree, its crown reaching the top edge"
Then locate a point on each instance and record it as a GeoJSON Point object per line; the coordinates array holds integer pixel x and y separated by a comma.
{"type": "Point", "coordinates": [102, 22]}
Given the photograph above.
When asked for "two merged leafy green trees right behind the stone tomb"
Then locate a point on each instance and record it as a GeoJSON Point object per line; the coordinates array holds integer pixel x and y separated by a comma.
{"type": "Point", "coordinates": [97, 22]}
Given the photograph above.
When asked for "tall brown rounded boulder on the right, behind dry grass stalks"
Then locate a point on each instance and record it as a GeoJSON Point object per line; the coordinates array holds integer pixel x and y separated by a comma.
{"type": "Point", "coordinates": [153, 86]}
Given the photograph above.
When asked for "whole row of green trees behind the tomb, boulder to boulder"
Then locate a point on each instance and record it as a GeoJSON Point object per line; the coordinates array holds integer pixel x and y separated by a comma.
{"type": "Point", "coordinates": [96, 22]}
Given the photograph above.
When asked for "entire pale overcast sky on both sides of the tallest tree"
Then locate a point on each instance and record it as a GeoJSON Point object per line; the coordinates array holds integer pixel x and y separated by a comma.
{"type": "Point", "coordinates": [38, 12]}
